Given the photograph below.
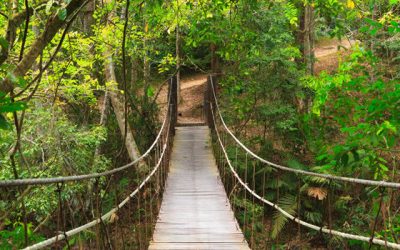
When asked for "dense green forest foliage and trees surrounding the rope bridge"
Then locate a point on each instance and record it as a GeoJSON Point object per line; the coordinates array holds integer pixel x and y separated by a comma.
{"type": "Point", "coordinates": [63, 61]}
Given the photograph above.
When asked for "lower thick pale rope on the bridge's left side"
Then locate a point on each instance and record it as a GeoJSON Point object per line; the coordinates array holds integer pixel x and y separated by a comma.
{"type": "Point", "coordinates": [107, 215]}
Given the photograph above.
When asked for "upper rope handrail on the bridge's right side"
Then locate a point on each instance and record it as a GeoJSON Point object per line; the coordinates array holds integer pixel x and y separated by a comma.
{"type": "Point", "coordinates": [299, 171]}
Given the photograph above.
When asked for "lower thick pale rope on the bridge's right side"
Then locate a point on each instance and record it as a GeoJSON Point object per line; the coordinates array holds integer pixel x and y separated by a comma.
{"type": "Point", "coordinates": [293, 218]}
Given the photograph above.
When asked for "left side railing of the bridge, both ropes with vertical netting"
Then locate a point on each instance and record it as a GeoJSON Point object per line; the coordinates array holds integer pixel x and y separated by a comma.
{"type": "Point", "coordinates": [141, 205]}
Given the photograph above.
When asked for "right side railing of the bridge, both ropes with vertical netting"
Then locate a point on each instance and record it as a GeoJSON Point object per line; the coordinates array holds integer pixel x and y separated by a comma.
{"type": "Point", "coordinates": [240, 180]}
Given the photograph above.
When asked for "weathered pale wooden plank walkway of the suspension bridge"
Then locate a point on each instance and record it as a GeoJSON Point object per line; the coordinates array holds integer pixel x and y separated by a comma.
{"type": "Point", "coordinates": [195, 212]}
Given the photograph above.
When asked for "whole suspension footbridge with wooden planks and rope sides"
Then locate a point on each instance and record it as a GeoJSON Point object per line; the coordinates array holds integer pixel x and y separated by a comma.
{"type": "Point", "coordinates": [184, 197]}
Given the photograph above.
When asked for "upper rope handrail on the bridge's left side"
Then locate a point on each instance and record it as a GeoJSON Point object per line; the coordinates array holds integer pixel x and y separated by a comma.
{"type": "Point", "coordinates": [50, 180]}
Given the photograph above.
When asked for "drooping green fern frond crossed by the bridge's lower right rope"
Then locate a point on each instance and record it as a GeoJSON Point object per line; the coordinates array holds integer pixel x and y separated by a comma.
{"type": "Point", "coordinates": [287, 203]}
